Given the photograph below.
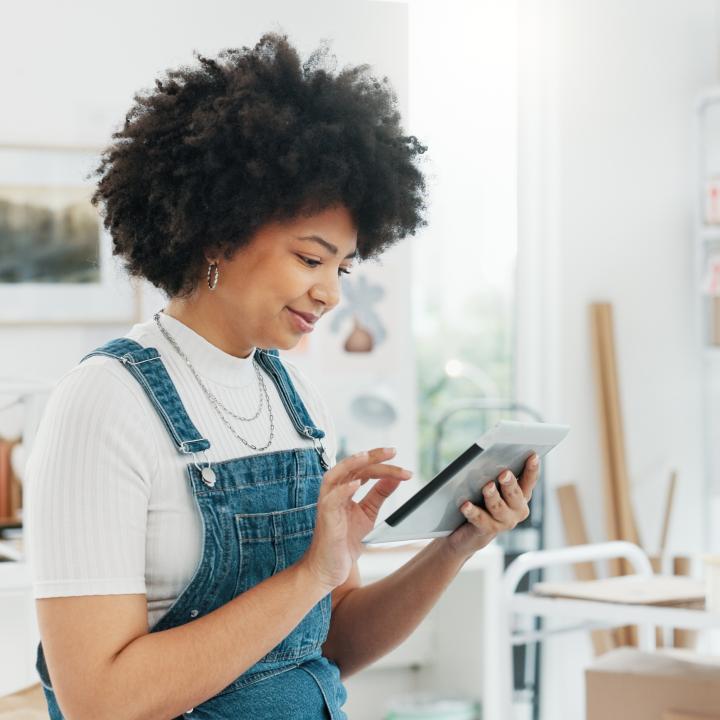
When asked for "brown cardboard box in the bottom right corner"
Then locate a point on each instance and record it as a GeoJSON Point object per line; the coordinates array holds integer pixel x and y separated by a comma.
{"type": "Point", "coordinates": [626, 684]}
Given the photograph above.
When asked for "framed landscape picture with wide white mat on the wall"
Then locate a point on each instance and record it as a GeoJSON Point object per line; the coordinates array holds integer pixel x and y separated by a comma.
{"type": "Point", "coordinates": [56, 262]}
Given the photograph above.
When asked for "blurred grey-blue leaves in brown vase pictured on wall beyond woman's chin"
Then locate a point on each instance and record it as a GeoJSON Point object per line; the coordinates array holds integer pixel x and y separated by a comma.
{"type": "Point", "coordinates": [368, 330]}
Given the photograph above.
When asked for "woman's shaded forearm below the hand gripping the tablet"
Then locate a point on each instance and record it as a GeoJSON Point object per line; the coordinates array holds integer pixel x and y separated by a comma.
{"type": "Point", "coordinates": [372, 620]}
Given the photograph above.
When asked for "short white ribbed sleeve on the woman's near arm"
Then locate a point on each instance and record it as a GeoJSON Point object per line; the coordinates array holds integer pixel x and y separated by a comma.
{"type": "Point", "coordinates": [88, 483]}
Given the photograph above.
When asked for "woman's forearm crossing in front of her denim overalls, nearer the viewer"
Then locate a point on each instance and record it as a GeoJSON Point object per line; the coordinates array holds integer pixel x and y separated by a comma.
{"type": "Point", "coordinates": [163, 674]}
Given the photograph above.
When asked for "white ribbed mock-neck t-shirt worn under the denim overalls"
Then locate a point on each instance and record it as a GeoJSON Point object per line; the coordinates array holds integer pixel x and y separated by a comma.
{"type": "Point", "coordinates": [109, 509]}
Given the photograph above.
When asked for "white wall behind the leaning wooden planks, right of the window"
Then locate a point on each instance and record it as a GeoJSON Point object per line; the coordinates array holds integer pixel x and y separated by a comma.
{"type": "Point", "coordinates": [607, 92]}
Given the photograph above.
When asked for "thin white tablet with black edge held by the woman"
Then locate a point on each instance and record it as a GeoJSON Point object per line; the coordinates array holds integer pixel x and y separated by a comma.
{"type": "Point", "coordinates": [433, 511]}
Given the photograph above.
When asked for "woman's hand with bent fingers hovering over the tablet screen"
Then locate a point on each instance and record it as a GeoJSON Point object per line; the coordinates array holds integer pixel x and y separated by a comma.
{"type": "Point", "coordinates": [341, 523]}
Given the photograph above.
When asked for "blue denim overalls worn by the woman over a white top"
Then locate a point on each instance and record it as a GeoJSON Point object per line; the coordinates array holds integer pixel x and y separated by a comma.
{"type": "Point", "coordinates": [258, 516]}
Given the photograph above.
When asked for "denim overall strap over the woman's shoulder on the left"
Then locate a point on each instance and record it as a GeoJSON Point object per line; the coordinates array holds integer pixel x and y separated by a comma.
{"type": "Point", "coordinates": [148, 369]}
